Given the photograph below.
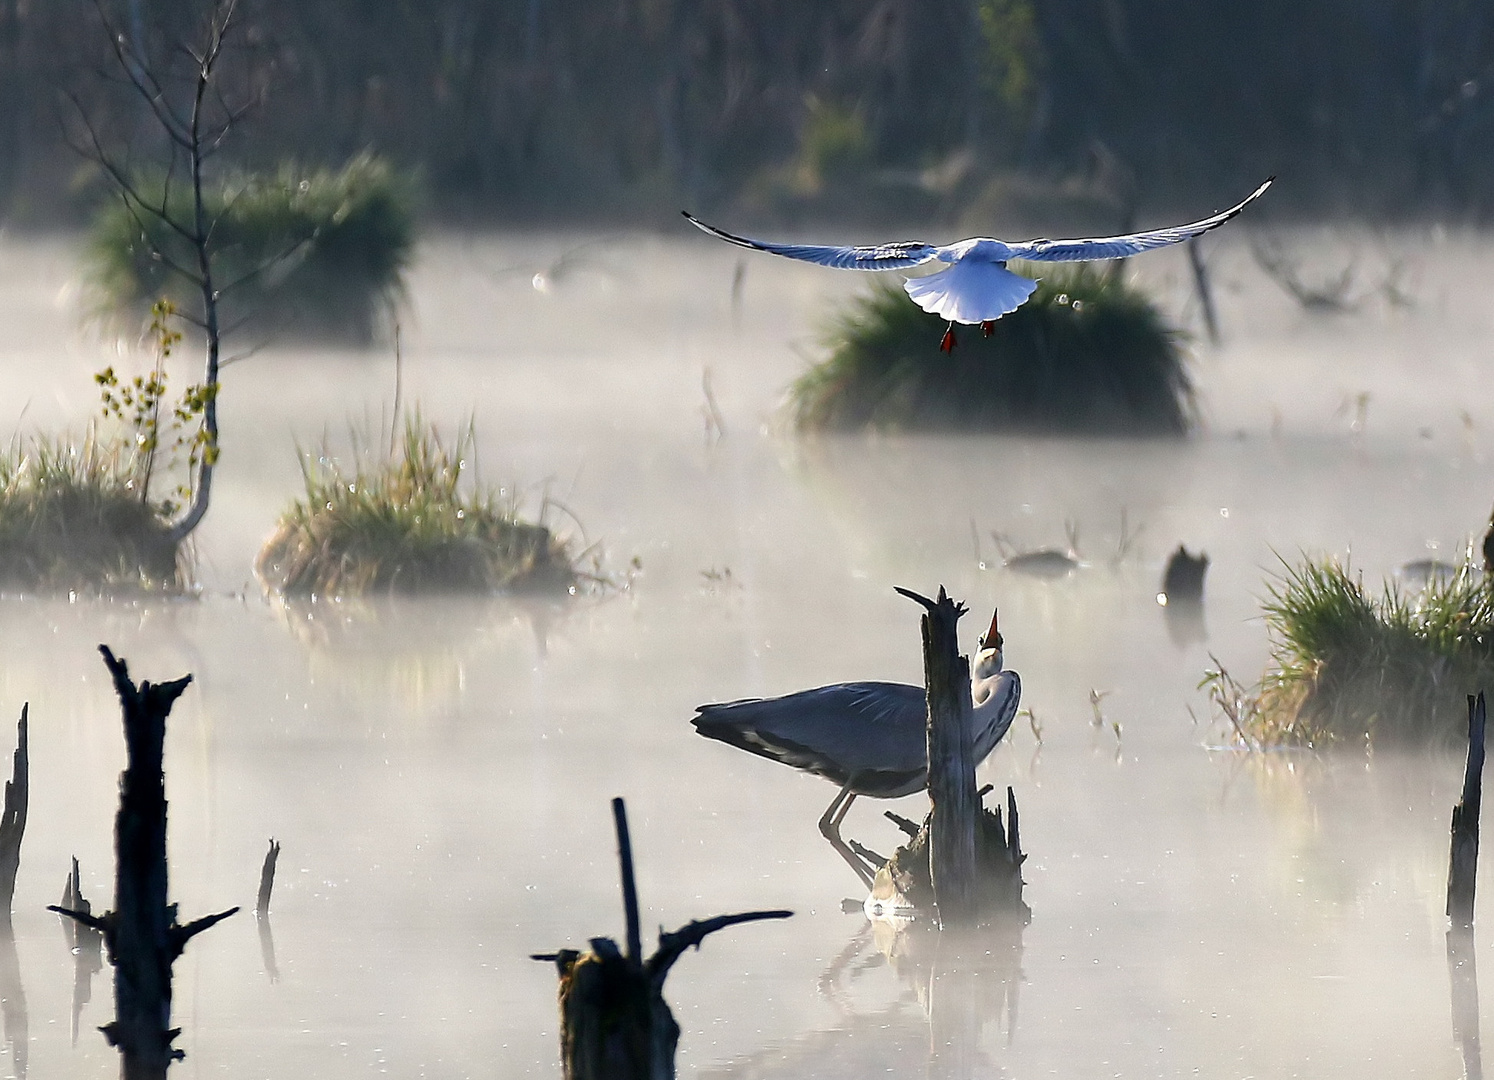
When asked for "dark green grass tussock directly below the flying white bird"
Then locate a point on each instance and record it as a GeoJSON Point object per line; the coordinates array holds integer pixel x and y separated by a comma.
{"type": "Point", "coordinates": [1085, 355]}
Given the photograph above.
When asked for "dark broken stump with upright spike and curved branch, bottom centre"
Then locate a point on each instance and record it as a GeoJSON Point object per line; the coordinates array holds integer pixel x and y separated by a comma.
{"type": "Point", "coordinates": [615, 1024]}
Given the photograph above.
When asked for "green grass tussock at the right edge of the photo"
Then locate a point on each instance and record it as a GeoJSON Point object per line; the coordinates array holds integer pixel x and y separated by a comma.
{"type": "Point", "coordinates": [1353, 667]}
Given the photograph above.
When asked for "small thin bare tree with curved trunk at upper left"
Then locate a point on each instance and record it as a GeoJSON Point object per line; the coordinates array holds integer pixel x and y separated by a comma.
{"type": "Point", "coordinates": [195, 117]}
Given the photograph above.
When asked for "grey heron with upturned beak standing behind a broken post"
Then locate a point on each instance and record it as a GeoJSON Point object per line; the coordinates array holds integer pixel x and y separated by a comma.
{"type": "Point", "coordinates": [869, 739]}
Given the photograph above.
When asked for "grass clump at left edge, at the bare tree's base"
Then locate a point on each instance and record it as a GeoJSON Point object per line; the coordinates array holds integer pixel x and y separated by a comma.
{"type": "Point", "coordinates": [72, 519]}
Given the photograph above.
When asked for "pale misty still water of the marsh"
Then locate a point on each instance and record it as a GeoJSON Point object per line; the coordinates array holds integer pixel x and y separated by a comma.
{"type": "Point", "coordinates": [438, 773]}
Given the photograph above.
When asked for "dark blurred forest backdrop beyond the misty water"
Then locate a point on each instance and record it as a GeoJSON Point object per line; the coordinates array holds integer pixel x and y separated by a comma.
{"type": "Point", "coordinates": [624, 110]}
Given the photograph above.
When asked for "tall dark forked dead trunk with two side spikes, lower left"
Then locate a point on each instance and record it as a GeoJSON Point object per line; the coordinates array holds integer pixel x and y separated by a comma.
{"type": "Point", "coordinates": [141, 931]}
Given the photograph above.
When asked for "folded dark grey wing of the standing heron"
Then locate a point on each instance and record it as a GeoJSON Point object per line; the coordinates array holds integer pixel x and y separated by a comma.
{"type": "Point", "coordinates": [834, 731]}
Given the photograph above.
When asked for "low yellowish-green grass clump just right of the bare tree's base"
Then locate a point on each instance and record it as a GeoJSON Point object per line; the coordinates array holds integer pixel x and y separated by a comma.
{"type": "Point", "coordinates": [410, 525]}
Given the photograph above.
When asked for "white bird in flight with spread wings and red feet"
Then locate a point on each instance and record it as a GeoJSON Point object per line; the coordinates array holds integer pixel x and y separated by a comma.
{"type": "Point", "coordinates": [976, 286]}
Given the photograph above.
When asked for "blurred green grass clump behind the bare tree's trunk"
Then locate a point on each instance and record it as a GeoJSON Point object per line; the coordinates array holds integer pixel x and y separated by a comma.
{"type": "Point", "coordinates": [319, 253]}
